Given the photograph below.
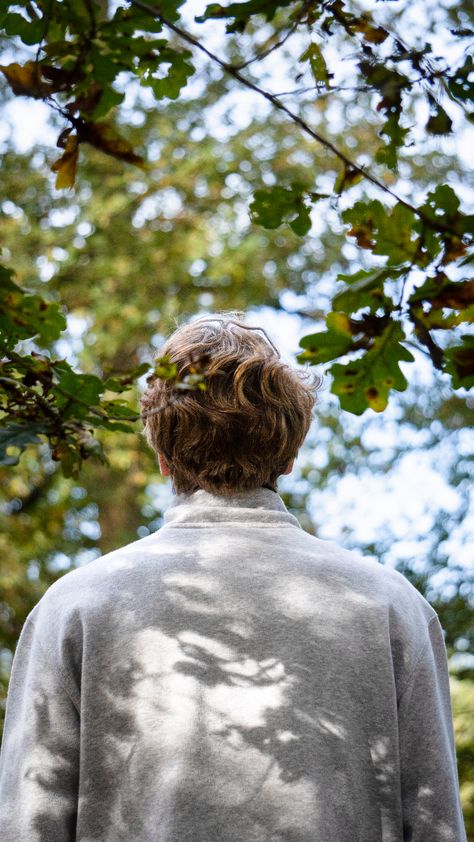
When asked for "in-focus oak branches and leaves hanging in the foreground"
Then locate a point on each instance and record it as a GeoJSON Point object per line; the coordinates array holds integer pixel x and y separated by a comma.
{"type": "Point", "coordinates": [413, 289]}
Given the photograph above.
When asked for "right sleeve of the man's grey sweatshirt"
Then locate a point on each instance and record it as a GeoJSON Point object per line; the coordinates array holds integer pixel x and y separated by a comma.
{"type": "Point", "coordinates": [429, 780]}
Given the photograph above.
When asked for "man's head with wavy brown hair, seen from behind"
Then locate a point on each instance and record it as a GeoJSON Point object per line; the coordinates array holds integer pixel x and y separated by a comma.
{"type": "Point", "coordinates": [244, 430]}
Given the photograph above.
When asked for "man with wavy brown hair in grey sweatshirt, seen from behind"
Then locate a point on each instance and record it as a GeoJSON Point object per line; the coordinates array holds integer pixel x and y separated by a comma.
{"type": "Point", "coordinates": [230, 678]}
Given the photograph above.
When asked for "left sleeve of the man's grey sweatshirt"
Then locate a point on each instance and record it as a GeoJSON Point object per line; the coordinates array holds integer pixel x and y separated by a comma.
{"type": "Point", "coordinates": [39, 760]}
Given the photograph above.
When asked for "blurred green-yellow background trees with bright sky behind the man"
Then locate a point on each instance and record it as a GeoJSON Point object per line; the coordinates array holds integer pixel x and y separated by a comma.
{"type": "Point", "coordinates": [128, 254]}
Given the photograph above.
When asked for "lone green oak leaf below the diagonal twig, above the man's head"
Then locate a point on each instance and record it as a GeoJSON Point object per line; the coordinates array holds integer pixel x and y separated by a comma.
{"type": "Point", "coordinates": [276, 205]}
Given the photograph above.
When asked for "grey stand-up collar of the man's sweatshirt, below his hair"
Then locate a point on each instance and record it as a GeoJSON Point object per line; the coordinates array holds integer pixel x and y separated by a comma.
{"type": "Point", "coordinates": [256, 507]}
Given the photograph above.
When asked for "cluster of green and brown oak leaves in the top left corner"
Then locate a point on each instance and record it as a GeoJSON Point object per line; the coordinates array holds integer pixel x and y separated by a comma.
{"type": "Point", "coordinates": [80, 55]}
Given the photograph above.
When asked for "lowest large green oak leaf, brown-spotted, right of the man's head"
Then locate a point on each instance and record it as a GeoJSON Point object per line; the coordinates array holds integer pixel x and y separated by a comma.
{"type": "Point", "coordinates": [366, 382]}
